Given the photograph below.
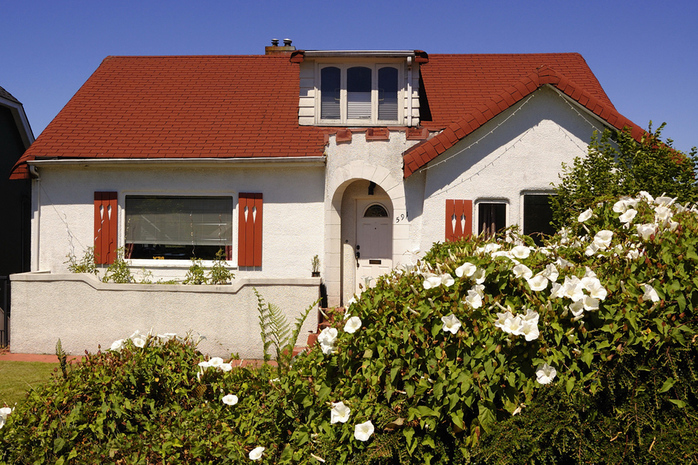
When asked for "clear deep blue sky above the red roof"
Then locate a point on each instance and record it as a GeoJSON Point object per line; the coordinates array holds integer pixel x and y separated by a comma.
{"type": "Point", "coordinates": [643, 52]}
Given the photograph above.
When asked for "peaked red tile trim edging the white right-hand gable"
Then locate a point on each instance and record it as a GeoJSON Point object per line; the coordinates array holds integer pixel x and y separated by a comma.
{"type": "Point", "coordinates": [423, 153]}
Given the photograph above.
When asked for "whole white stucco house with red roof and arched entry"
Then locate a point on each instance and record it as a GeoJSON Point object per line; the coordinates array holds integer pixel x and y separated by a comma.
{"type": "Point", "coordinates": [360, 157]}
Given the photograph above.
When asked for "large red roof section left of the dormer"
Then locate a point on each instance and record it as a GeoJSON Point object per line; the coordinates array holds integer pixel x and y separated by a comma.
{"type": "Point", "coordinates": [182, 107]}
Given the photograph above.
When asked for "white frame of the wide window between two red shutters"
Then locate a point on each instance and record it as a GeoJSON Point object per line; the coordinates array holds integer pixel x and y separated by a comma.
{"type": "Point", "coordinates": [178, 263]}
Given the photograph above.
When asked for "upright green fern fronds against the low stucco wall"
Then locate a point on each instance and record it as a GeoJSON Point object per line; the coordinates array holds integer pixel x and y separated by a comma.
{"type": "Point", "coordinates": [276, 331]}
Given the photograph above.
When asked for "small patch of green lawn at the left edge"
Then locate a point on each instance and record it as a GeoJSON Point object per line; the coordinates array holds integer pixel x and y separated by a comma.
{"type": "Point", "coordinates": [16, 378]}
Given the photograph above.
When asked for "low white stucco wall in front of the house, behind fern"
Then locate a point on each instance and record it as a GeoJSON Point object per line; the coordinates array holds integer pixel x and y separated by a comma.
{"type": "Point", "coordinates": [84, 313]}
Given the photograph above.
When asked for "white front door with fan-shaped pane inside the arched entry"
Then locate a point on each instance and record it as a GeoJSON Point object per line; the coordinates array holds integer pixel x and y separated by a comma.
{"type": "Point", "coordinates": [374, 237]}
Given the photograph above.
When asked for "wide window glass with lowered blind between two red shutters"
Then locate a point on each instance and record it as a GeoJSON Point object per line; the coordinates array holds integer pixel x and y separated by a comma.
{"type": "Point", "coordinates": [169, 227]}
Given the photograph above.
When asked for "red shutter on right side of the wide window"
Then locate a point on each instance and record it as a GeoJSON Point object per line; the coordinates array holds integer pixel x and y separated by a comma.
{"type": "Point", "coordinates": [250, 230]}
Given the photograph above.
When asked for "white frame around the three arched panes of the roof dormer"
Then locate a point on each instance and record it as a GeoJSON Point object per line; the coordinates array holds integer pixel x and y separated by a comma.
{"type": "Point", "coordinates": [344, 120]}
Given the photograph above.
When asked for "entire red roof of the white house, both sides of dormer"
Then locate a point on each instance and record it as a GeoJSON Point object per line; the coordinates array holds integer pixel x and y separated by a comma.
{"type": "Point", "coordinates": [247, 106]}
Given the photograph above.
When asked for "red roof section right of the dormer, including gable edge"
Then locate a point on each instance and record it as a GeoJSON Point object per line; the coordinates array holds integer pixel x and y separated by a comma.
{"type": "Point", "coordinates": [463, 92]}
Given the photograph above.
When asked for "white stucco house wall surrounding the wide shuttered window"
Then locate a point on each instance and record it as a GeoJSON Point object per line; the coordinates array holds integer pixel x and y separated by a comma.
{"type": "Point", "coordinates": [293, 210]}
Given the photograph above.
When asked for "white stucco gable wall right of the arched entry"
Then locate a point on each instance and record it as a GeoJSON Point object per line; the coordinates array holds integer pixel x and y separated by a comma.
{"type": "Point", "coordinates": [523, 156]}
